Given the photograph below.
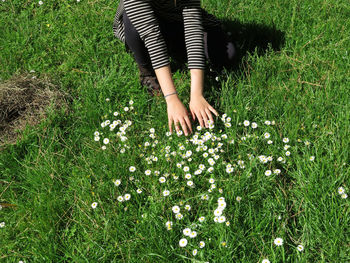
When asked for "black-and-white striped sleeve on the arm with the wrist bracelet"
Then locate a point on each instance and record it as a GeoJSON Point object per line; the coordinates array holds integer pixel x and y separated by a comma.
{"type": "Point", "coordinates": [142, 16]}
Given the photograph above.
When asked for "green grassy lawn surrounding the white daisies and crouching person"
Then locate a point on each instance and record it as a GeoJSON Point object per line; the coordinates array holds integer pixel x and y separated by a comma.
{"type": "Point", "coordinates": [57, 170]}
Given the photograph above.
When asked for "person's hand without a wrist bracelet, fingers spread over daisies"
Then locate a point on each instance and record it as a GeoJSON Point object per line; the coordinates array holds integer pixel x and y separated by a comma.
{"type": "Point", "coordinates": [201, 108]}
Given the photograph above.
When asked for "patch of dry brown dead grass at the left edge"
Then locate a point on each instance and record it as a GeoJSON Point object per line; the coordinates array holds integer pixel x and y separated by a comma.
{"type": "Point", "coordinates": [25, 100]}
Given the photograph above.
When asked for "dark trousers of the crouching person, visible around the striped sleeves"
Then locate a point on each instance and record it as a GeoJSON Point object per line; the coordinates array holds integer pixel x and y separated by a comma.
{"type": "Point", "coordinates": [219, 50]}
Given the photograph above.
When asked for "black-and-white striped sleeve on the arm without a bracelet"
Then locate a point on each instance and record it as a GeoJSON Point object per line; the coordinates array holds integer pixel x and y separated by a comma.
{"type": "Point", "coordinates": [192, 16]}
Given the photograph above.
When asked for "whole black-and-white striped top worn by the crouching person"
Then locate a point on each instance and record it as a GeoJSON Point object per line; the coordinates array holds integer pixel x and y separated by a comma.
{"type": "Point", "coordinates": [143, 15]}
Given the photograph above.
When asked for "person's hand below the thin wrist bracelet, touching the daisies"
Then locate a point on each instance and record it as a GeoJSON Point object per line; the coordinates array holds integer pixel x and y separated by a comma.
{"type": "Point", "coordinates": [177, 113]}
